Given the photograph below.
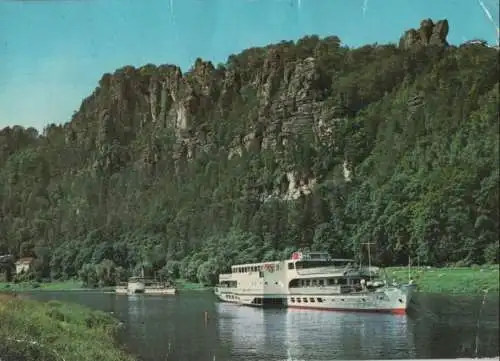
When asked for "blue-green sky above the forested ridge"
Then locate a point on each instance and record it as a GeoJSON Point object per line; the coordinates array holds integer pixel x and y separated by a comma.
{"type": "Point", "coordinates": [52, 53]}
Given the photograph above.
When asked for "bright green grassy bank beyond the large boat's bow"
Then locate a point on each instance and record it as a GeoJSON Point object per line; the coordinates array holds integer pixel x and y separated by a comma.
{"type": "Point", "coordinates": [460, 280]}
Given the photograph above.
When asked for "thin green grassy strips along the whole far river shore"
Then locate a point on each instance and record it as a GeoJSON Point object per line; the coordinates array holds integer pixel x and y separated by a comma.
{"type": "Point", "coordinates": [453, 281]}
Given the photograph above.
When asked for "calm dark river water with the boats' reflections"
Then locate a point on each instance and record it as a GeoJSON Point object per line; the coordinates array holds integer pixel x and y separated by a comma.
{"type": "Point", "coordinates": [173, 328]}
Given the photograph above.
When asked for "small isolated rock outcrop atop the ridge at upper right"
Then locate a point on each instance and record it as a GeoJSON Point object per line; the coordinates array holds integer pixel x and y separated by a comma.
{"type": "Point", "coordinates": [429, 33]}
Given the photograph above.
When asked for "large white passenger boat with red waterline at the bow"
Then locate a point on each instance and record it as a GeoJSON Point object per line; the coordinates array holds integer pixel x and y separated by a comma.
{"type": "Point", "coordinates": [313, 280]}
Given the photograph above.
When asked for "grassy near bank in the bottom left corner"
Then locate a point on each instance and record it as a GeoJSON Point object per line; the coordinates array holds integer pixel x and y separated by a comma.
{"type": "Point", "coordinates": [31, 330]}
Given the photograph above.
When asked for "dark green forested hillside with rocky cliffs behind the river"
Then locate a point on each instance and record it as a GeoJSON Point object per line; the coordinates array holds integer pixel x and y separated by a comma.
{"type": "Point", "coordinates": [297, 144]}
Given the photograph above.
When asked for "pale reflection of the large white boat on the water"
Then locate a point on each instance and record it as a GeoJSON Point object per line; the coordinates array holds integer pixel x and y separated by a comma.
{"type": "Point", "coordinates": [289, 334]}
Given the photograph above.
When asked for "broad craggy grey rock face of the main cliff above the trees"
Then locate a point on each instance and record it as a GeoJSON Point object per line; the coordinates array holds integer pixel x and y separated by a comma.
{"type": "Point", "coordinates": [283, 96]}
